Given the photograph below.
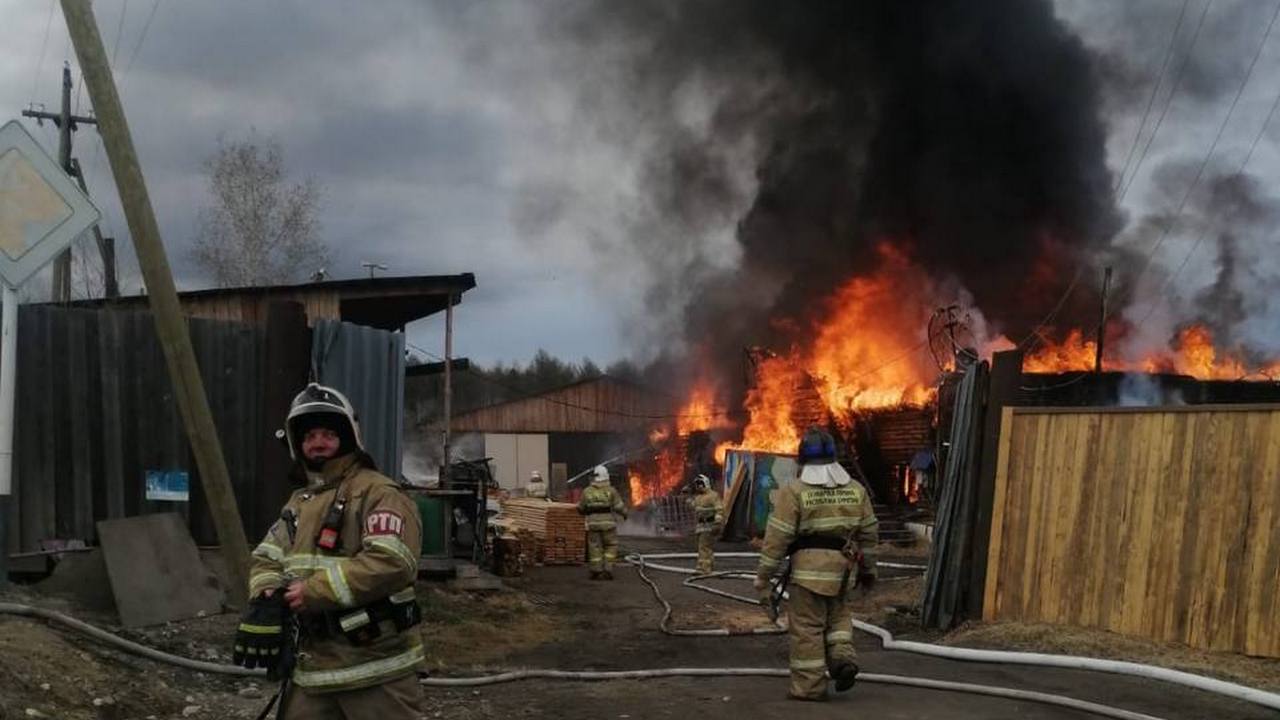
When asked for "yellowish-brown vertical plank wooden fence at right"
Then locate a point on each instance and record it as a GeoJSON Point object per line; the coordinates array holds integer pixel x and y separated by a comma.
{"type": "Point", "coordinates": [1160, 522]}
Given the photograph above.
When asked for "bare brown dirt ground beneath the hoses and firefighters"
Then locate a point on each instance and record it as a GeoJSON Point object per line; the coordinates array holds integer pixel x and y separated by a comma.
{"type": "Point", "coordinates": [554, 618]}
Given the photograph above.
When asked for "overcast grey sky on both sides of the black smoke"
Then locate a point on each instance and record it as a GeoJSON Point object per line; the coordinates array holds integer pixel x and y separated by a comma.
{"type": "Point", "coordinates": [428, 122]}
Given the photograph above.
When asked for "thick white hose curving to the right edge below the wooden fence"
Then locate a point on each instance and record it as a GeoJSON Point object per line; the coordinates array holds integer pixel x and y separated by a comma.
{"type": "Point", "coordinates": [1037, 659]}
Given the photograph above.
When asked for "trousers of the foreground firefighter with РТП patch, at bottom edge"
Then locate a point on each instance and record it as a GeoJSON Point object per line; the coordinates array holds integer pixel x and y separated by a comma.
{"type": "Point", "coordinates": [395, 700]}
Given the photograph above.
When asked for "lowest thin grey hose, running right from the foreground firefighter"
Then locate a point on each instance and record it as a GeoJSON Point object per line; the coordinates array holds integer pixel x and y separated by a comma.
{"type": "Point", "coordinates": [948, 686]}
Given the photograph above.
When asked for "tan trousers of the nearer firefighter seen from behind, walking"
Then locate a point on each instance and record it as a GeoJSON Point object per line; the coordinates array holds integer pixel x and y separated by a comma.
{"type": "Point", "coordinates": [822, 639]}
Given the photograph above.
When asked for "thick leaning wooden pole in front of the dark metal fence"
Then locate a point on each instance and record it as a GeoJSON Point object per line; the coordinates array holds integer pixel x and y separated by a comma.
{"type": "Point", "coordinates": [171, 326]}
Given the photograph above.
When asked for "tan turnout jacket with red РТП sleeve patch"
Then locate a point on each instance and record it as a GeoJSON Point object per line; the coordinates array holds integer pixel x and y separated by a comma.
{"type": "Point", "coordinates": [369, 575]}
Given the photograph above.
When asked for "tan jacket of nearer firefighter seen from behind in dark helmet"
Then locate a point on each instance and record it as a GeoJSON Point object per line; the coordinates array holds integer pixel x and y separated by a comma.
{"type": "Point", "coordinates": [812, 520]}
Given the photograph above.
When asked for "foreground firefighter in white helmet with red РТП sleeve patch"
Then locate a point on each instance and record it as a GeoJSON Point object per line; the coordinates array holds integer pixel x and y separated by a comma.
{"type": "Point", "coordinates": [342, 559]}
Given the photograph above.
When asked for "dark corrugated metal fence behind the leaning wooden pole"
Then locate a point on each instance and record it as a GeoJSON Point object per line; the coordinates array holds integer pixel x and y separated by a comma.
{"type": "Point", "coordinates": [95, 412]}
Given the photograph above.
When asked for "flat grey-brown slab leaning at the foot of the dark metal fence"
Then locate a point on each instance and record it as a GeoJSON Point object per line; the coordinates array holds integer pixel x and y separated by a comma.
{"type": "Point", "coordinates": [156, 571]}
